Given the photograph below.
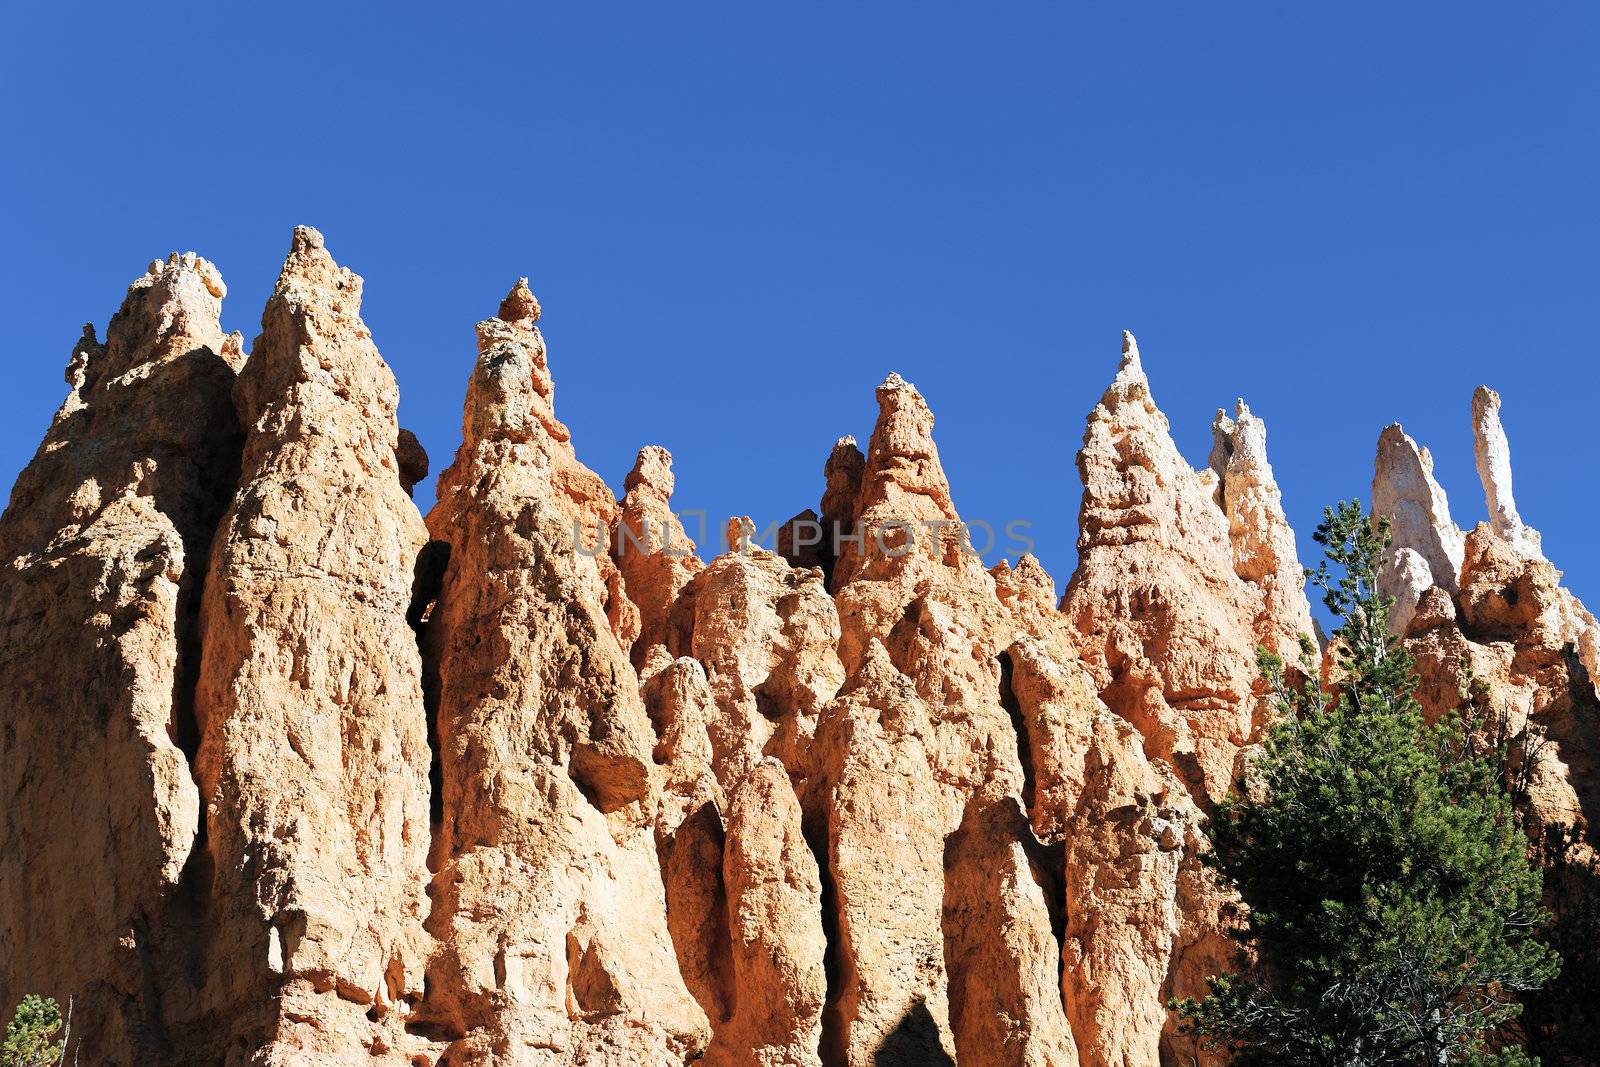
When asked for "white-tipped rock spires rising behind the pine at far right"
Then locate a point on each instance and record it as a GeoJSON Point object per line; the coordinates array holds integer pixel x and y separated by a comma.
{"type": "Point", "coordinates": [1486, 607]}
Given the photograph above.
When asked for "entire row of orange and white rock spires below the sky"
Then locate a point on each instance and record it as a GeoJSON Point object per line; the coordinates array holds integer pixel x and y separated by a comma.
{"type": "Point", "coordinates": [295, 775]}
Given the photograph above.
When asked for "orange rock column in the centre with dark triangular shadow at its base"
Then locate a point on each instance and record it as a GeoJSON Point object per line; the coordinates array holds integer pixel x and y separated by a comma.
{"type": "Point", "coordinates": [919, 740]}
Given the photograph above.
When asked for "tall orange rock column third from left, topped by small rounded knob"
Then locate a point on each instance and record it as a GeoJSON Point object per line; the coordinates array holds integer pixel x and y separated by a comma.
{"type": "Point", "coordinates": [548, 898]}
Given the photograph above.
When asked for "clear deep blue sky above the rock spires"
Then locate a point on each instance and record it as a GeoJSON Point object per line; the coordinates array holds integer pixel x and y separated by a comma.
{"type": "Point", "coordinates": [742, 217]}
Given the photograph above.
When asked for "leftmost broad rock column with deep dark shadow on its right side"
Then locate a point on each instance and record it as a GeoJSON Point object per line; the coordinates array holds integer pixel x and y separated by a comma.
{"type": "Point", "coordinates": [102, 559]}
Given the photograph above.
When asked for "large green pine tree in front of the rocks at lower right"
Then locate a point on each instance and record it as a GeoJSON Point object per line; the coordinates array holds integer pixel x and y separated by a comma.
{"type": "Point", "coordinates": [1391, 898]}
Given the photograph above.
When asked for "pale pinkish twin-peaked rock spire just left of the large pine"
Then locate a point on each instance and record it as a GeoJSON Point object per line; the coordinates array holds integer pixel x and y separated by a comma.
{"type": "Point", "coordinates": [1166, 618]}
